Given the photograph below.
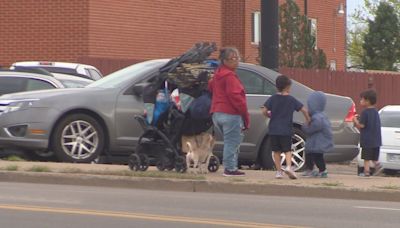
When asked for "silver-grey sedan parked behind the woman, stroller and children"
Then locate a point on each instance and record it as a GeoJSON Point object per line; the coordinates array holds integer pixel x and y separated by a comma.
{"type": "Point", "coordinates": [80, 124]}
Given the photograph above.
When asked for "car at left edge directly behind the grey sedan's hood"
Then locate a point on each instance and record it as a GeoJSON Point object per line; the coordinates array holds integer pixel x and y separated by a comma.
{"type": "Point", "coordinates": [25, 79]}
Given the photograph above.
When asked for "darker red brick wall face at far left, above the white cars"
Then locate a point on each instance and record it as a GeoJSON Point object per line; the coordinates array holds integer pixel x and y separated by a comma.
{"type": "Point", "coordinates": [43, 30]}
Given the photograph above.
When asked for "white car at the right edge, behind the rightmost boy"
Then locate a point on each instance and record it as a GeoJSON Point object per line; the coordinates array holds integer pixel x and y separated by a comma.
{"type": "Point", "coordinates": [390, 151]}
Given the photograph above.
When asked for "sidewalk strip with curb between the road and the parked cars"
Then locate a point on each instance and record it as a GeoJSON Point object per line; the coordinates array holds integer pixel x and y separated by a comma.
{"type": "Point", "coordinates": [255, 182]}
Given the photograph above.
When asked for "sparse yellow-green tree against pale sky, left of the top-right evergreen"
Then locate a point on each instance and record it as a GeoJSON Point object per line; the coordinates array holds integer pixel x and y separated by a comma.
{"type": "Point", "coordinates": [359, 27]}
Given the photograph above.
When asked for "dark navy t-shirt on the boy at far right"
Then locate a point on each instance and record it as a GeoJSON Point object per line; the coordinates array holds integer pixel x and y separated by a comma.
{"type": "Point", "coordinates": [370, 136]}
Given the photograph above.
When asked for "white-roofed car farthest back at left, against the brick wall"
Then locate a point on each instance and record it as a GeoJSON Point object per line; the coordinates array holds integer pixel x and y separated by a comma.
{"type": "Point", "coordinates": [76, 69]}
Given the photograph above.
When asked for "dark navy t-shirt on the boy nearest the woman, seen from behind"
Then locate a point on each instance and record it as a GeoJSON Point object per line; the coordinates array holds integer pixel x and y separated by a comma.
{"type": "Point", "coordinates": [282, 108]}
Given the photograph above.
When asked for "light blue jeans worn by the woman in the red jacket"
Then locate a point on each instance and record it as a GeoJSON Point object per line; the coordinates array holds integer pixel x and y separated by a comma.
{"type": "Point", "coordinates": [230, 127]}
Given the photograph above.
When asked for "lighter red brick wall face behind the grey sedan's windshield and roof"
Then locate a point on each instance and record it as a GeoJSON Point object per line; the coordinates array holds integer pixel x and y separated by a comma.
{"type": "Point", "coordinates": [144, 29]}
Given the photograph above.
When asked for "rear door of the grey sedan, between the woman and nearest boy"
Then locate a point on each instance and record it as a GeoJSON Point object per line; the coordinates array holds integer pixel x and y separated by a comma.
{"type": "Point", "coordinates": [258, 90]}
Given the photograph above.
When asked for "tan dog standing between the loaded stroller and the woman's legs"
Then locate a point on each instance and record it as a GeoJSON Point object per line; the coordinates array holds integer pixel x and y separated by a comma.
{"type": "Point", "coordinates": [199, 151]}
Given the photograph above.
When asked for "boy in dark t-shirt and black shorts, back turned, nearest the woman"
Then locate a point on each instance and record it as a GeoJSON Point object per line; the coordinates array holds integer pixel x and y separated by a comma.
{"type": "Point", "coordinates": [280, 108]}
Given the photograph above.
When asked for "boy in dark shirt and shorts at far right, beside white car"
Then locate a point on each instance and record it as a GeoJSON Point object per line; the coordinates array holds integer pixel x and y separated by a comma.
{"type": "Point", "coordinates": [370, 132]}
